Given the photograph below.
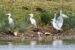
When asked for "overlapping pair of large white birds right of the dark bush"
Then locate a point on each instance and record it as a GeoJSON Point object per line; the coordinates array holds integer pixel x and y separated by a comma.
{"type": "Point", "coordinates": [58, 22]}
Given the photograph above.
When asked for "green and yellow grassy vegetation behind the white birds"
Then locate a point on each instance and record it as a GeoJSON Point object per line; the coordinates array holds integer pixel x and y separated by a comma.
{"type": "Point", "coordinates": [43, 12]}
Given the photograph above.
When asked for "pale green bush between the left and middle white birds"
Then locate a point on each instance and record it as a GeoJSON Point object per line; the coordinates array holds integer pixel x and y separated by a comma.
{"type": "Point", "coordinates": [22, 25]}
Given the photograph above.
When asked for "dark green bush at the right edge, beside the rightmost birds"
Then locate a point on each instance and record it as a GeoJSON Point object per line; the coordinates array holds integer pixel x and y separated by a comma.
{"type": "Point", "coordinates": [69, 23]}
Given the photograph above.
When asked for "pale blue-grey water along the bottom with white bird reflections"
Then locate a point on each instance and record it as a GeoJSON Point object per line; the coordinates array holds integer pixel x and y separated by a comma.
{"type": "Point", "coordinates": [35, 46]}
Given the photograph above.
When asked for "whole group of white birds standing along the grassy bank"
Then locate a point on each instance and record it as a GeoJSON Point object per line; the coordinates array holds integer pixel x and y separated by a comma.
{"type": "Point", "coordinates": [56, 22]}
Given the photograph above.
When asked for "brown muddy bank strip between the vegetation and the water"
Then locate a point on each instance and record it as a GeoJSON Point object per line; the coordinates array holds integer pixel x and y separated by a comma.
{"type": "Point", "coordinates": [29, 36]}
